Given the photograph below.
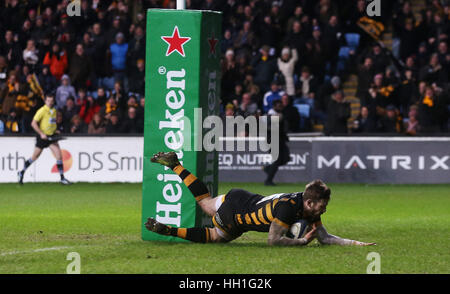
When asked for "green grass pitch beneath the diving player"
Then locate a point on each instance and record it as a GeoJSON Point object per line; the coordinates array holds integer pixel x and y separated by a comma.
{"type": "Point", "coordinates": [41, 223]}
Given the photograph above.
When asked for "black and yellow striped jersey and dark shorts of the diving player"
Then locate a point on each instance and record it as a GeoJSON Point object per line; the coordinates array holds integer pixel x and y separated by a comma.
{"type": "Point", "coordinates": [253, 212]}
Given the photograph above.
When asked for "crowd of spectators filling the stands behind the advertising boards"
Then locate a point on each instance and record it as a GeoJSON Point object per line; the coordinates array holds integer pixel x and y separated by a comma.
{"type": "Point", "coordinates": [295, 54]}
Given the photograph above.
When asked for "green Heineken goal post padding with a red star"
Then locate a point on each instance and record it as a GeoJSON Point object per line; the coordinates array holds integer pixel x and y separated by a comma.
{"type": "Point", "coordinates": [182, 77]}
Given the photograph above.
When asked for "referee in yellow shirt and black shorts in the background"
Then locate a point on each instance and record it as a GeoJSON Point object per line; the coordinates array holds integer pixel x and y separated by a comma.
{"type": "Point", "coordinates": [44, 124]}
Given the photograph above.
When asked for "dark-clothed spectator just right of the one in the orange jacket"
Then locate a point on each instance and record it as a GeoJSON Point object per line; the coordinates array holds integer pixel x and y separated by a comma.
{"type": "Point", "coordinates": [80, 68]}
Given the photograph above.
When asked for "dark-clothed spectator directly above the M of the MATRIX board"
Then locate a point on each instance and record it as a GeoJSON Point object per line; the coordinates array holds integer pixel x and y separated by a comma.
{"type": "Point", "coordinates": [338, 113]}
